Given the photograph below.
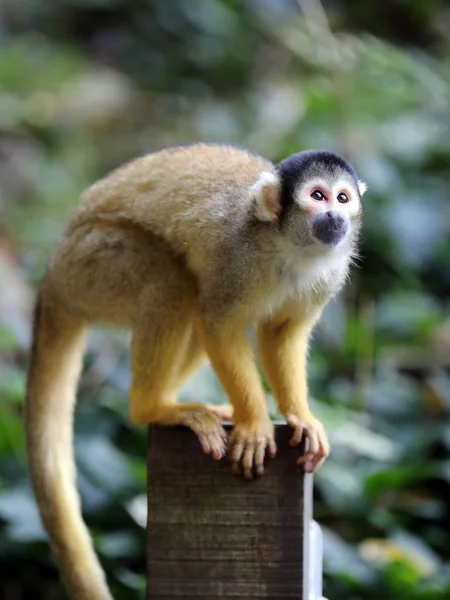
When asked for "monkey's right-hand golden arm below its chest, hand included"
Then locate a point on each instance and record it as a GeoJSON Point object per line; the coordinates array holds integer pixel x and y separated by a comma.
{"type": "Point", "coordinates": [283, 346]}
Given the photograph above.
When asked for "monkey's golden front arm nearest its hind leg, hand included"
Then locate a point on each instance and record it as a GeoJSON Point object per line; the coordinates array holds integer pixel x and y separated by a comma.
{"type": "Point", "coordinates": [232, 358]}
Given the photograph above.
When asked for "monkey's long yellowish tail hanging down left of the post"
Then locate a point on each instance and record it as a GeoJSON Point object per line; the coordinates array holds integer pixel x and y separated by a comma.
{"type": "Point", "coordinates": [56, 361]}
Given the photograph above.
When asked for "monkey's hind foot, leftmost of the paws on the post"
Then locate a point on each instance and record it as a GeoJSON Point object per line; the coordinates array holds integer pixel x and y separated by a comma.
{"type": "Point", "coordinates": [206, 424]}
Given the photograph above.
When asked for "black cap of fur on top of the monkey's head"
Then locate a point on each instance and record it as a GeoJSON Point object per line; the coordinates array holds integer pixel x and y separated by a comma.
{"type": "Point", "coordinates": [300, 167]}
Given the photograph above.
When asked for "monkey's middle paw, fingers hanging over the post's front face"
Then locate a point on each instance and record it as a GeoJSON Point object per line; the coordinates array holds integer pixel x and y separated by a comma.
{"type": "Point", "coordinates": [248, 445]}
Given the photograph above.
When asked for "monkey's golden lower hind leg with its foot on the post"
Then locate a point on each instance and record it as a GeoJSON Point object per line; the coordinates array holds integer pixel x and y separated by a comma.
{"type": "Point", "coordinates": [160, 360]}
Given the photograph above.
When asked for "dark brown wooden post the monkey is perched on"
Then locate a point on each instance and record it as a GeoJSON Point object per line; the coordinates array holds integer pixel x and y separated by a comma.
{"type": "Point", "coordinates": [214, 535]}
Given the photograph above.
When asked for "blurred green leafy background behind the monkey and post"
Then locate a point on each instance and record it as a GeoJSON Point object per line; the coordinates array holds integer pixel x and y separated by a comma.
{"type": "Point", "coordinates": [88, 84]}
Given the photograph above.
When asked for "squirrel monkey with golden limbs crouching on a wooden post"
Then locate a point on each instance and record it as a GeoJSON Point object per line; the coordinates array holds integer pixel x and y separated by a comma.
{"type": "Point", "coordinates": [189, 247]}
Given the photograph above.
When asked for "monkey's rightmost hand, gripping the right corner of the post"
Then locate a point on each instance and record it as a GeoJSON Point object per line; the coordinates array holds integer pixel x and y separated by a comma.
{"type": "Point", "coordinates": [313, 430]}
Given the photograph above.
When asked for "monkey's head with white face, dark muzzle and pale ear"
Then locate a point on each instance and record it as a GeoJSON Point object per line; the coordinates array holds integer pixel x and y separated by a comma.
{"type": "Point", "coordinates": [315, 198]}
